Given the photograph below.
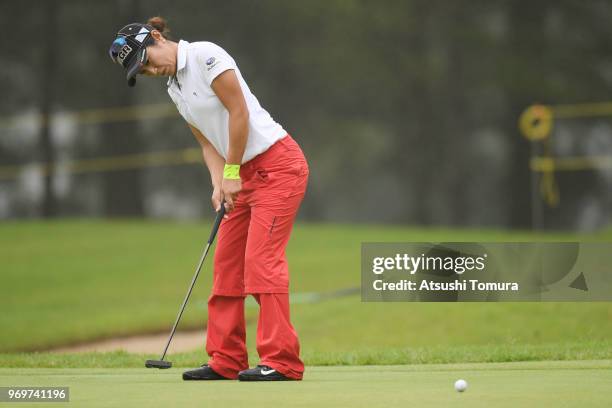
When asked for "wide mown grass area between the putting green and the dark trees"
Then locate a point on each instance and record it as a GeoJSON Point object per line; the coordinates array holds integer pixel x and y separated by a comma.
{"type": "Point", "coordinates": [71, 281]}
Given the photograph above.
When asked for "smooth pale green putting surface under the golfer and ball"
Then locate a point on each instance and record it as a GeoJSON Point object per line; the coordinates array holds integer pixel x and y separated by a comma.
{"type": "Point", "coordinates": [527, 384]}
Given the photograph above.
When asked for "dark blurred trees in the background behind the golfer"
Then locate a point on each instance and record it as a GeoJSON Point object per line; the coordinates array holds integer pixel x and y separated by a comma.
{"type": "Point", "coordinates": [406, 110]}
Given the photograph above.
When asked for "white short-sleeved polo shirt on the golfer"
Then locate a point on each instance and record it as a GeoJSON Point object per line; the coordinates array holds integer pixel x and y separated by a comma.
{"type": "Point", "coordinates": [197, 65]}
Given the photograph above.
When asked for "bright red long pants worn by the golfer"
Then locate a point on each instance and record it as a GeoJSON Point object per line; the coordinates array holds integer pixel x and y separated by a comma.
{"type": "Point", "coordinates": [250, 259]}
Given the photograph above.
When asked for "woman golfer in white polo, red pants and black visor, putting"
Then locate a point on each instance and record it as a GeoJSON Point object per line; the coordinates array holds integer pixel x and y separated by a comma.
{"type": "Point", "coordinates": [260, 172]}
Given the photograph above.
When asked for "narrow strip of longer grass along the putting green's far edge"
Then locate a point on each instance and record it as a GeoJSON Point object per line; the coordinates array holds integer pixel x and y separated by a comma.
{"type": "Point", "coordinates": [593, 350]}
